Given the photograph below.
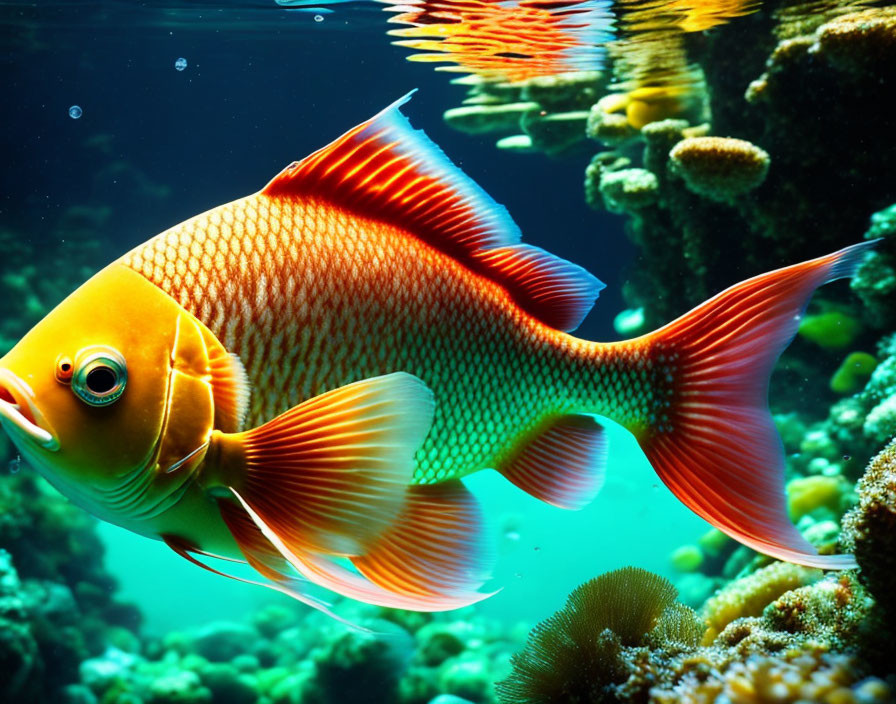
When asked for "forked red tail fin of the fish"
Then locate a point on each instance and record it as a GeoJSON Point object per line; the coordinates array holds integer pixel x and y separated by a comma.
{"type": "Point", "coordinates": [715, 445]}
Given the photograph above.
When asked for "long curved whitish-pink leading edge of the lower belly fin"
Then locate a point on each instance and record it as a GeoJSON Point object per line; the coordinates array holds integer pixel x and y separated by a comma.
{"type": "Point", "coordinates": [324, 571]}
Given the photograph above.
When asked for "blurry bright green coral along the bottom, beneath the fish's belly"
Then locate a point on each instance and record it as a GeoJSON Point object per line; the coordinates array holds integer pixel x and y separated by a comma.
{"type": "Point", "coordinates": [287, 657]}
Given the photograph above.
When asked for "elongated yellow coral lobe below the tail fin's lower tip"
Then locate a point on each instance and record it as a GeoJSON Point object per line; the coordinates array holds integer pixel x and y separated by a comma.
{"type": "Point", "coordinates": [750, 595]}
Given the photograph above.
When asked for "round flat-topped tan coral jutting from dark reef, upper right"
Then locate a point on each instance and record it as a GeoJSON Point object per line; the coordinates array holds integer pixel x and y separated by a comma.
{"type": "Point", "coordinates": [719, 168]}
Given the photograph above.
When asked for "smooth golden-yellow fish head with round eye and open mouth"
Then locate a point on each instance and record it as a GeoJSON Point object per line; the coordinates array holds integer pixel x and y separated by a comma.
{"type": "Point", "coordinates": [90, 395]}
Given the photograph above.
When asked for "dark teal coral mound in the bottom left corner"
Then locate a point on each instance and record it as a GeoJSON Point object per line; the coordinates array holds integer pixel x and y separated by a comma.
{"type": "Point", "coordinates": [56, 603]}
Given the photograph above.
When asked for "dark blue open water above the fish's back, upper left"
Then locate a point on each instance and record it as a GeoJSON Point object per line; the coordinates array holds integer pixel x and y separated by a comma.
{"type": "Point", "coordinates": [264, 86]}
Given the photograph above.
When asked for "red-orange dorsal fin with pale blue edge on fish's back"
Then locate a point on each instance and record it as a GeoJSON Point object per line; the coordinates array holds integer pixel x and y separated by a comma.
{"type": "Point", "coordinates": [385, 169]}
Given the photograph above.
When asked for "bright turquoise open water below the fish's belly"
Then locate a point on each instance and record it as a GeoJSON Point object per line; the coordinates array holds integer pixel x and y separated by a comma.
{"type": "Point", "coordinates": [543, 552]}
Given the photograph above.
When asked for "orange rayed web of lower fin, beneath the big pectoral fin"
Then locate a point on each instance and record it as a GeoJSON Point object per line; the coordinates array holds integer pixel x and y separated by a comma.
{"type": "Point", "coordinates": [436, 547]}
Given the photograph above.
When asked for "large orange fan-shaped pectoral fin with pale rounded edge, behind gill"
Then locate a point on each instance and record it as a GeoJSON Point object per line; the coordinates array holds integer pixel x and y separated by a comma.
{"type": "Point", "coordinates": [330, 474]}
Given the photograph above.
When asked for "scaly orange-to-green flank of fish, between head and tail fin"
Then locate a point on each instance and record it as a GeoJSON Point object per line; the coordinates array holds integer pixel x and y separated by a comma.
{"type": "Point", "coordinates": [312, 297]}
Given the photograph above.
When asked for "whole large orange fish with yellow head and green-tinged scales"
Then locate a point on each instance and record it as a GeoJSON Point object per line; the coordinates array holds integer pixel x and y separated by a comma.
{"type": "Point", "coordinates": [301, 379]}
